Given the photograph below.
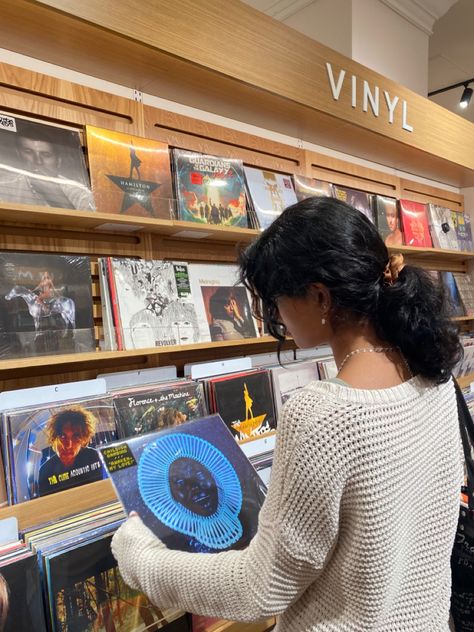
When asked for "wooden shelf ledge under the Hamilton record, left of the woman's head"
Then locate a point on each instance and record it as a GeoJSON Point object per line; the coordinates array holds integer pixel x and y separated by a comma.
{"type": "Point", "coordinates": [91, 221]}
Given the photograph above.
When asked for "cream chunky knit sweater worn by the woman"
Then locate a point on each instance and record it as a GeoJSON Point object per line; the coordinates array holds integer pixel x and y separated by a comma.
{"type": "Point", "coordinates": [357, 528]}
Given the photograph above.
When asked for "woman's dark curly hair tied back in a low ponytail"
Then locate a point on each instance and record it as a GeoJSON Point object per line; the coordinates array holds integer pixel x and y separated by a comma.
{"type": "Point", "coordinates": [324, 240]}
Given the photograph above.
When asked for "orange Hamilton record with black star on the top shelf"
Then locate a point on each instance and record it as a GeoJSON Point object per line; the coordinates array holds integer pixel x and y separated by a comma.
{"type": "Point", "coordinates": [130, 175]}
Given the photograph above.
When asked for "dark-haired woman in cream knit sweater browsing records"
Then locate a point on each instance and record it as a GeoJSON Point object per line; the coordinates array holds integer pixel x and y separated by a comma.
{"type": "Point", "coordinates": [358, 525]}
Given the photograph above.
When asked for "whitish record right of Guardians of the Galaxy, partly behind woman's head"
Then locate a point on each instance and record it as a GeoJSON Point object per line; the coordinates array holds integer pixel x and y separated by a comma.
{"type": "Point", "coordinates": [271, 193]}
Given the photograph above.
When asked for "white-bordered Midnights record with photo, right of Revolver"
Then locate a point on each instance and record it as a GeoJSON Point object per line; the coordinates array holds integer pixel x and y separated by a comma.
{"type": "Point", "coordinates": [222, 304]}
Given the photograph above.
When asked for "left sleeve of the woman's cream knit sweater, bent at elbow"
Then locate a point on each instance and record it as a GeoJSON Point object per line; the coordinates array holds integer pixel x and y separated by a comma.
{"type": "Point", "coordinates": [297, 528]}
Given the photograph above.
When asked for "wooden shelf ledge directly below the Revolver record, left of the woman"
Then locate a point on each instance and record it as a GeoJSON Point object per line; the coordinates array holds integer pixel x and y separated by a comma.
{"type": "Point", "coordinates": [177, 353]}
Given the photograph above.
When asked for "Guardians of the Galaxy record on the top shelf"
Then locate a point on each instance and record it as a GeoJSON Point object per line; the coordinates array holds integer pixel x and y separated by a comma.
{"type": "Point", "coordinates": [209, 189]}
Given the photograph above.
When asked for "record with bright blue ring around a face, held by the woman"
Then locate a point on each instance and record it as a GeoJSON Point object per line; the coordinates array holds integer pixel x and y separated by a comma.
{"type": "Point", "coordinates": [191, 484]}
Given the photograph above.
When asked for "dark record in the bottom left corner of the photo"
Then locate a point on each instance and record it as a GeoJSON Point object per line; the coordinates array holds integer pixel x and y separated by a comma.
{"type": "Point", "coordinates": [25, 604]}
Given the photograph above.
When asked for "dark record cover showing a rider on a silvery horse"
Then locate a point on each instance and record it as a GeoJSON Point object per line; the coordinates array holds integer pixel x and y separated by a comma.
{"type": "Point", "coordinates": [45, 305]}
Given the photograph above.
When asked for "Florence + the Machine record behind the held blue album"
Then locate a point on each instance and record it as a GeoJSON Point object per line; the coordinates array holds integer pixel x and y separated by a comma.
{"type": "Point", "coordinates": [158, 407]}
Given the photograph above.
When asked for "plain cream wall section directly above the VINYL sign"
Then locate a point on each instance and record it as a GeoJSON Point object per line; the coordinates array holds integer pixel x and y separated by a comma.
{"type": "Point", "coordinates": [389, 44]}
